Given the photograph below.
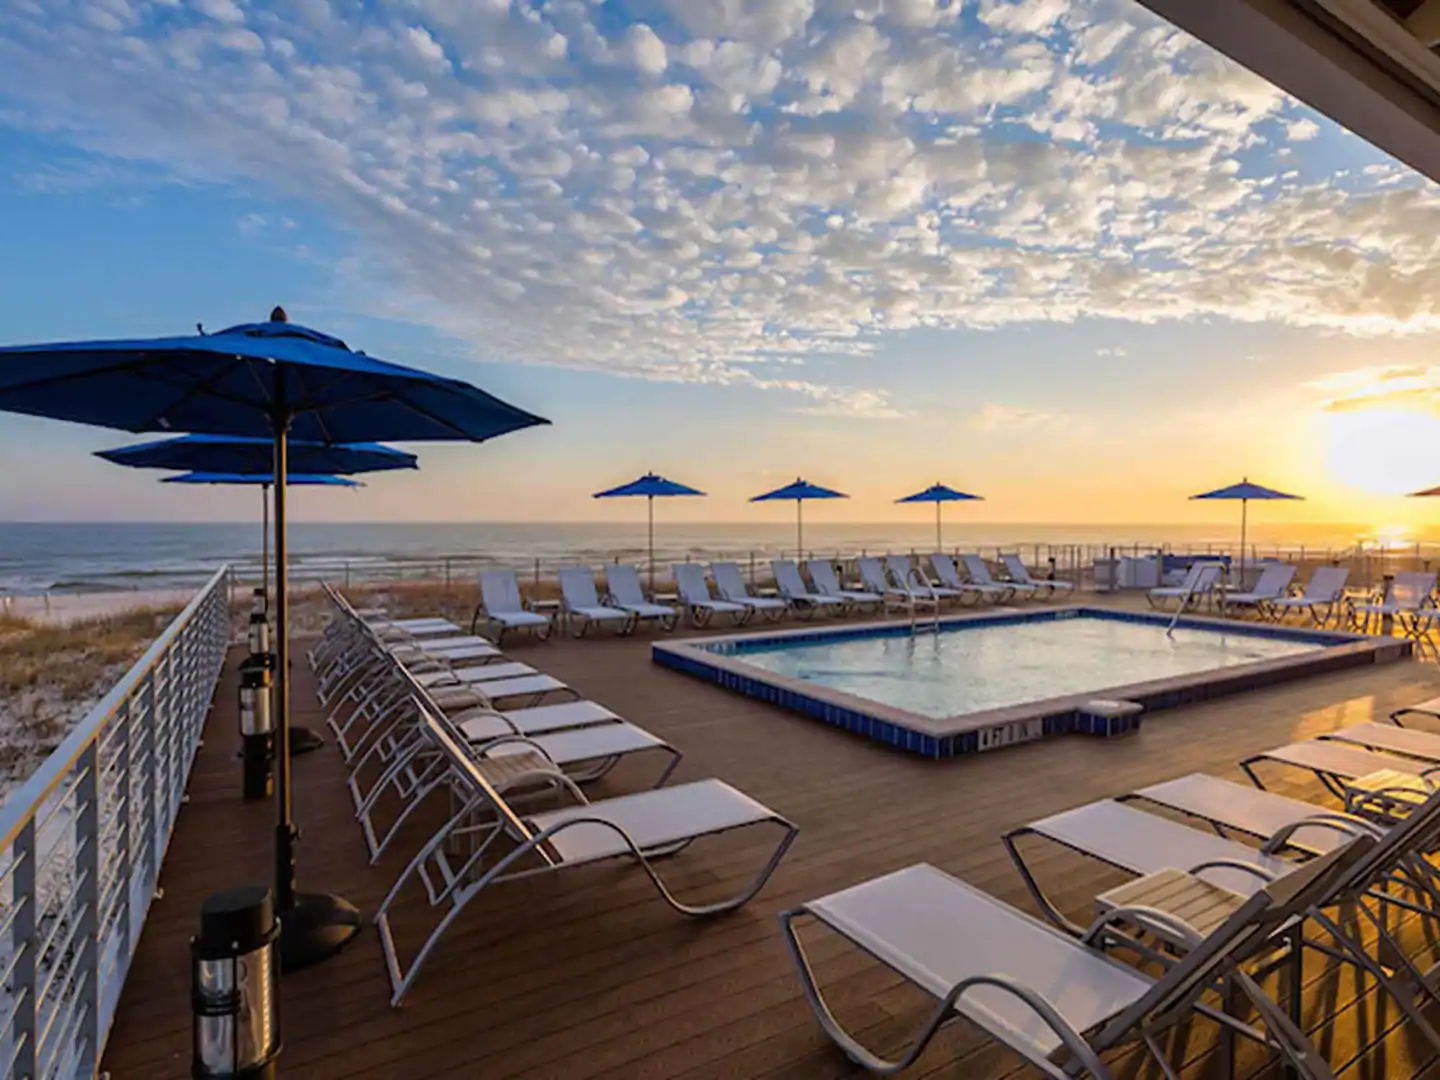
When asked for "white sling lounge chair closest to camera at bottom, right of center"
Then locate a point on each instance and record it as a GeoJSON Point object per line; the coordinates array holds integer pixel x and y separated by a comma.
{"type": "Point", "coordinates": [1055, 1002]}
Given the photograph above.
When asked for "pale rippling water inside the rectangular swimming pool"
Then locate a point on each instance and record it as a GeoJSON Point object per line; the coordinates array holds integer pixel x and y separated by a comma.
{"type": "Point", "coordinates": [966, 670]}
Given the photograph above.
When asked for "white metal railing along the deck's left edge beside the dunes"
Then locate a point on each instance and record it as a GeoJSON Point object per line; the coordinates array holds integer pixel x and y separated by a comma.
{"type": "Point", "coordinates": [83, 842]}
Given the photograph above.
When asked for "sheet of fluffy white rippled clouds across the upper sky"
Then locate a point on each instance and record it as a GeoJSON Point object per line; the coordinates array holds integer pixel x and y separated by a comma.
{"type": "Point", "coordinates": [714, 189]}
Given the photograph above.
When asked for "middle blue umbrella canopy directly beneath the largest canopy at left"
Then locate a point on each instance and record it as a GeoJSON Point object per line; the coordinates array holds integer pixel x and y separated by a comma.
{"type": "Point", "coordinates": [253, 456]}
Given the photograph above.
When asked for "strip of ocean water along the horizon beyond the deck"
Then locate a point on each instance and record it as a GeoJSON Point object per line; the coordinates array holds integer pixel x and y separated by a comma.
{"type": "Point", "coordinates": [74, 558]}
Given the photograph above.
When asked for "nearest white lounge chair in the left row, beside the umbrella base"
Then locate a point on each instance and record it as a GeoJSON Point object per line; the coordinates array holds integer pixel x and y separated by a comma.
{"type": "Point", "coordinates": [633, 829]}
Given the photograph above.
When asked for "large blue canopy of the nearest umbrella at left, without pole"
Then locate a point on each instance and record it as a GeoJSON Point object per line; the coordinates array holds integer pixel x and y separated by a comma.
{"type": "Point", "coordinates": [238, 381]}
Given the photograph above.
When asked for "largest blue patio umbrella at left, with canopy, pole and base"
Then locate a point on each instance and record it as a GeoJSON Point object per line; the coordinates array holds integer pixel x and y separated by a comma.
{"type": "Point", "coordinates": [266, 381]}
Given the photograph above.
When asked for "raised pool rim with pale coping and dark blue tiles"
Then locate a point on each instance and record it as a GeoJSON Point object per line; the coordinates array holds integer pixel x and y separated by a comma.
{"type": "Point", "coordinates": [987, 729]}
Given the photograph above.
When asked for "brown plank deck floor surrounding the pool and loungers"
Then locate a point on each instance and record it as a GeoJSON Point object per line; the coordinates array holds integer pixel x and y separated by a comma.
{"type": "Point", "coordinates": [591, 976]}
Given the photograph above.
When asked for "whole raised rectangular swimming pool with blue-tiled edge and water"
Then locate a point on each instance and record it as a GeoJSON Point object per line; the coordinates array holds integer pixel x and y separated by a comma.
{"type": "Point", "coordinates": [996, 679]}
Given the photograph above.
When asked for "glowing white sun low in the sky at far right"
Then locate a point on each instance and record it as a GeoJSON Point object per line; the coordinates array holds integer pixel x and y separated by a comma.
{"type": "Point", "coordinates": [1385, 451]}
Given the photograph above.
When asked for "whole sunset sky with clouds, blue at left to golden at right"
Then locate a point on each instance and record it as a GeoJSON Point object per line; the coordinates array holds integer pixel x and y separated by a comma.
{"type": "Point", "coordinates": [1053, 253]}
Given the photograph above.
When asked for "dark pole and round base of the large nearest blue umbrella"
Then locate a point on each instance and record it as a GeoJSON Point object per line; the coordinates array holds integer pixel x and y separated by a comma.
{"type": "Point", "coordinates": [315, 927]}
